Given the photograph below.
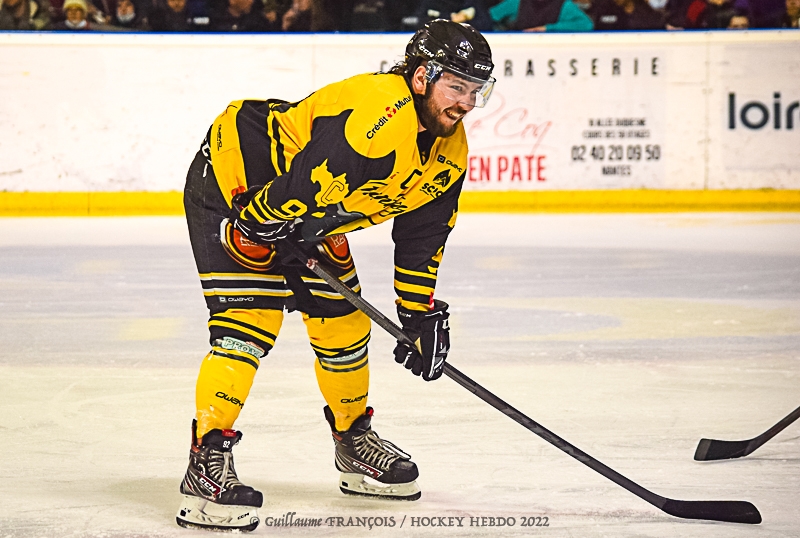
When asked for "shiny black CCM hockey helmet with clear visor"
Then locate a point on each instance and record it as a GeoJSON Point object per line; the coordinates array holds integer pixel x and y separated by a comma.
{"type": "Point", "coordinates": [454, 48]}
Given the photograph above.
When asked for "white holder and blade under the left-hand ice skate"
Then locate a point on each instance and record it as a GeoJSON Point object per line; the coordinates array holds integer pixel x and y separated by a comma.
{"type": "Point", "coordinates": [198, 513]}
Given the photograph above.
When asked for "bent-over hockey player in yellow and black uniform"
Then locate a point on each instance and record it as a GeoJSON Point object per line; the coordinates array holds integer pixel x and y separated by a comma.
{"type": "Point", "coordinates": [351, 155]}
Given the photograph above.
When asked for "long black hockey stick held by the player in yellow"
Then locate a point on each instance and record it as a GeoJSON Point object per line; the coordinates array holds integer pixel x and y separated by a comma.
{"type": "Point", "coordinates": [730, 511]}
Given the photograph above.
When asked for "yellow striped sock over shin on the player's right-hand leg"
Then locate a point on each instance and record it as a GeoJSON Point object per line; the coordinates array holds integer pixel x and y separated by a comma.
{"type": "Point", "coordinates": [342, 365]}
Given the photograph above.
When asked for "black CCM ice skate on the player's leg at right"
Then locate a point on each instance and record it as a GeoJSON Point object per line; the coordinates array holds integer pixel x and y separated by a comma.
{"type": "Point", "coordinates": [372, 466]}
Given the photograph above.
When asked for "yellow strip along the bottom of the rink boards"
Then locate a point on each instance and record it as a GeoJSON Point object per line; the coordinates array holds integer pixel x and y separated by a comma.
{"type": "Point", "coordinates": [74, 204]}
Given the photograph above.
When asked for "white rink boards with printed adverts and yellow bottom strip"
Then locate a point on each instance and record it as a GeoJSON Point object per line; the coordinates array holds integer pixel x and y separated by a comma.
{"type": "Point", "coordinates": [630, 121]}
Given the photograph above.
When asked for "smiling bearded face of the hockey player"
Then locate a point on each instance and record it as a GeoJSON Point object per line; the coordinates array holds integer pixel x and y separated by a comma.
{"type": "Point", "coordinates": [446, 103]}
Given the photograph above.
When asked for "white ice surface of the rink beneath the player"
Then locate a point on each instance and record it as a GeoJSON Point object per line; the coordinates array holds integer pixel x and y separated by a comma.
{"type": "Point", "coordinates": [631, 336]}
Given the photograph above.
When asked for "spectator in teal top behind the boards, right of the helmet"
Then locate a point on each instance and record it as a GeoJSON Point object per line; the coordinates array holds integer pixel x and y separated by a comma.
{"type": "Point", "coordinates": [541, 16]}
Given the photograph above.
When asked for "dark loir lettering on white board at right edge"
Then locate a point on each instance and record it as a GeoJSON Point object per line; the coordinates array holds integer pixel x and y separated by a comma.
{"type": "Point", "coordinates": [755, 115]}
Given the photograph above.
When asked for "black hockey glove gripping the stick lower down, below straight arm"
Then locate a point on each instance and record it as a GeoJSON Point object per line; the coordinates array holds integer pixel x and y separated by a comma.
{"type": "Point", "coordinates": [430, 331]}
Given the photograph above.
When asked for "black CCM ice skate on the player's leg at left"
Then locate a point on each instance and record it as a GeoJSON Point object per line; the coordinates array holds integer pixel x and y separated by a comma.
{"type": "Point", "coordinates": [213, 497]}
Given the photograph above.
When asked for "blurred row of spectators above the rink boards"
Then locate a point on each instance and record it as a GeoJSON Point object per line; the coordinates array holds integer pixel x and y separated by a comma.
{"type": "Point", "coordinates": [393, 15]}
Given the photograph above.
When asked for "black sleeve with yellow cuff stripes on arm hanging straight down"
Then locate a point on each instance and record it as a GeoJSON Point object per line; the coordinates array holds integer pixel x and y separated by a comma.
{"type": "Point", "coordinates": [419, 237]}
